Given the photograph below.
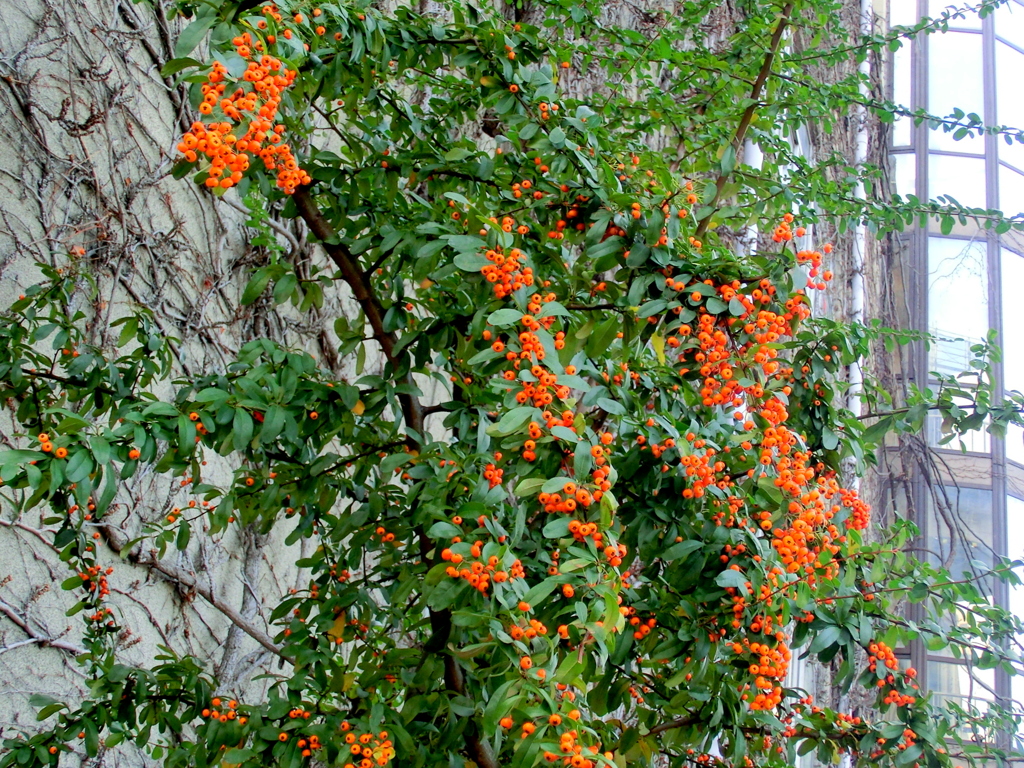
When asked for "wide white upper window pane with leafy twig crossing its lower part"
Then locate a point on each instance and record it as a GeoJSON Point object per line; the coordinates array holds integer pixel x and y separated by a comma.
{"type": "Point", "coordinates": [955, 79]}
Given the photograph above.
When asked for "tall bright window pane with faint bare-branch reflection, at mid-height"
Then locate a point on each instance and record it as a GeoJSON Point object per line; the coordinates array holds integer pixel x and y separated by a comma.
{"type": "Point", "coordinates": [958, 302]}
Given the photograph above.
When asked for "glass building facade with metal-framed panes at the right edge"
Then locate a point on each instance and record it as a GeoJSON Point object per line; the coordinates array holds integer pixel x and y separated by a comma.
{"type": "Point", "coordinates": [961, 286]}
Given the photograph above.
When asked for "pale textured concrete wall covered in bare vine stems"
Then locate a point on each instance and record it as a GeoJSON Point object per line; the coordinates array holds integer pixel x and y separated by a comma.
{"type": "Point", "coordinates": [89, 129]}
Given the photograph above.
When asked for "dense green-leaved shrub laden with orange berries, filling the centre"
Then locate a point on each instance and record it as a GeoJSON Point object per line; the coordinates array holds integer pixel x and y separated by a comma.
{"type": "Point", "coordinates": [425, 479]}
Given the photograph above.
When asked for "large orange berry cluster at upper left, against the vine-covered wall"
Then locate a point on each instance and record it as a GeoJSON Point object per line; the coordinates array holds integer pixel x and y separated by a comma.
{"type": "Point", "coordinates": [230, 154]}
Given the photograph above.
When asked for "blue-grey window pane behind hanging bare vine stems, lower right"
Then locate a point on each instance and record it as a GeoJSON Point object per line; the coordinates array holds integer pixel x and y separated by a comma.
{"type": "Point", "coordinates": [960, 531]}
